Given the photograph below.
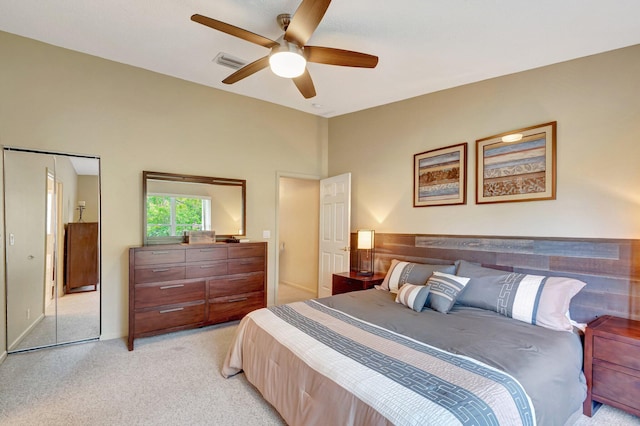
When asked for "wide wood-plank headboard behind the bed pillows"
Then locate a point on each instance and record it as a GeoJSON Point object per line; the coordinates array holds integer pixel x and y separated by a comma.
{"type": "Point", "coordinates": [610, 267]}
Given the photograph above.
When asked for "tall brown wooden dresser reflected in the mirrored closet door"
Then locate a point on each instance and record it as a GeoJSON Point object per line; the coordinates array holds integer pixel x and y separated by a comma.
{"type": "Point", "coordinates": [81, 272]}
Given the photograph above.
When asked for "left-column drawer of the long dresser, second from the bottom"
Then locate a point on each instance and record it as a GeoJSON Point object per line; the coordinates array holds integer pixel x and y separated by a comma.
{"type": "Point", "coordinates": [170, 293]}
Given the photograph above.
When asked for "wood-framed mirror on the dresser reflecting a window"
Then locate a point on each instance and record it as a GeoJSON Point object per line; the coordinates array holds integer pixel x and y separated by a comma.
{"type": "Point", "coordinates": [176, 203]}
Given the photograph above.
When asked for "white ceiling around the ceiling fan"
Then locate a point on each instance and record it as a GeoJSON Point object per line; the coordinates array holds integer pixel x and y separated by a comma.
{"type": "Point", "coordinates": [423, 45]}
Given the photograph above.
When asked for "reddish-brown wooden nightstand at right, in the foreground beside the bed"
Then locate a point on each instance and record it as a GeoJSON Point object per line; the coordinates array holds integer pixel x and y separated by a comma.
{"type": "Point", "coordinates": [612, 364]}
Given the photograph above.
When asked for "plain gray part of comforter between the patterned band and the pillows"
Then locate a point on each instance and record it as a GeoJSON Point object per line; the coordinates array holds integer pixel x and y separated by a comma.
{"type": "Point", "coordinates": [547, 363]}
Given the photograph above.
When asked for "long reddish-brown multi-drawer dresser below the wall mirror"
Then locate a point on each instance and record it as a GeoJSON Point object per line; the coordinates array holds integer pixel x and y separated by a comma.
{"type": "Point", "coordinates": [181, 286]}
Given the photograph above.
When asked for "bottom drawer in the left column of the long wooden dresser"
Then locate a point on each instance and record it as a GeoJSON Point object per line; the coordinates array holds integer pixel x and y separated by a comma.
{"type": "Point", "coordinates": [169, 316]}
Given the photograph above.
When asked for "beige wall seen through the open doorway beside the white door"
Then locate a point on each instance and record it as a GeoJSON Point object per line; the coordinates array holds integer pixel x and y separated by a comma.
{"type": "Point", "coordinates": [299, 216]}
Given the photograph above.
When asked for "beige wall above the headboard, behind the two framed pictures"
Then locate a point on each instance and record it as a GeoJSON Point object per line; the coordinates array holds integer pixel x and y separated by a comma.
{"type": "Point", "coordinates": [596, 103]}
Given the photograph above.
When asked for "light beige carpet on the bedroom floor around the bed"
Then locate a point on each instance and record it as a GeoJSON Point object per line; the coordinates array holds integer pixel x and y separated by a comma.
{"type": "Point", "coordinates": [172, 379]}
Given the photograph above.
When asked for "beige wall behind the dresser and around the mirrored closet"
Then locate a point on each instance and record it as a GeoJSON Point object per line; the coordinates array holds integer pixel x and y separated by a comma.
{"type": "Point", "coordinates": [135, 120]}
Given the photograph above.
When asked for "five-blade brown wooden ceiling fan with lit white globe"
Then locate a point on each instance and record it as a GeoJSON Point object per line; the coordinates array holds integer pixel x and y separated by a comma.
{"type": "Point", "coordinates": [289, 53]}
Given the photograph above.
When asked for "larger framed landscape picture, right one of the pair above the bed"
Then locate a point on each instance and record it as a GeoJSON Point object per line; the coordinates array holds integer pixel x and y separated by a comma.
{"type": "Point", "coordinates": [519, 165]}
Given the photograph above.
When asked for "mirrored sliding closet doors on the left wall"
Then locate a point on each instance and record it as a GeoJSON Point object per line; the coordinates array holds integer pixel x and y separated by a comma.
{"type": "Point", "coordinates": [52, 247]}
